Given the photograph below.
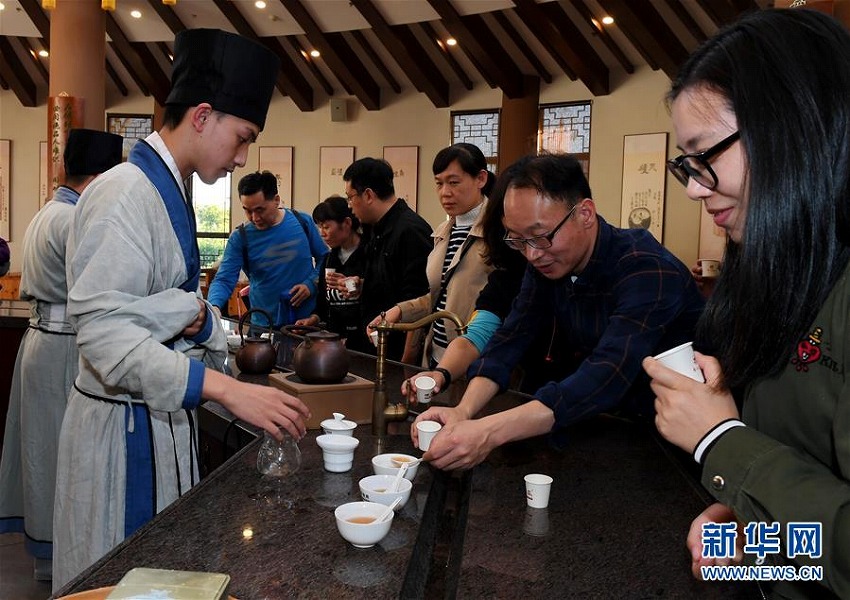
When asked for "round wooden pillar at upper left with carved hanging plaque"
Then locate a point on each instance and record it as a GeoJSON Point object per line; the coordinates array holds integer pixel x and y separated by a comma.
{"type": "Point", "coordinates": [77, 88]}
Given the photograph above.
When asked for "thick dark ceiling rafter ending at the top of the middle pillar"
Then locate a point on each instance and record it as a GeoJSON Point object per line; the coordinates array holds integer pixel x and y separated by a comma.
{"type": "Point", "coordinates": [477, 42]}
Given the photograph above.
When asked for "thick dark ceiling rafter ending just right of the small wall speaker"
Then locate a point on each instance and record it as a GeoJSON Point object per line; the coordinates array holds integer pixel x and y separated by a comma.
{"type": "Point", "coordinates": [338, 55]}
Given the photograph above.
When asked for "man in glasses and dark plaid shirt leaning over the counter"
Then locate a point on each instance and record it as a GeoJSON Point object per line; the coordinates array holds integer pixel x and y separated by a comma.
{"type": "Point", "coordinates": [616, 294]}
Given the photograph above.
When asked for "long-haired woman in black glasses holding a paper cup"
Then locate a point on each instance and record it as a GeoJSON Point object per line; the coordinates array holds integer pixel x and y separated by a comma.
{"type": "Point", "coordinates": [769, 97]}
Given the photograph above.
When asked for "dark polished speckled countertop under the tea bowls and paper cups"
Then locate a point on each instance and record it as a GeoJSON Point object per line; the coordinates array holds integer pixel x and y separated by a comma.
{"type": "Point", "coordinates": [615, 526]}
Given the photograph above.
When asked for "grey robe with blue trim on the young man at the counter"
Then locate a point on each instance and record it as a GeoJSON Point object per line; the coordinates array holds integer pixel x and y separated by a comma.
{"type": "Point", "coordinates": [128, 446]}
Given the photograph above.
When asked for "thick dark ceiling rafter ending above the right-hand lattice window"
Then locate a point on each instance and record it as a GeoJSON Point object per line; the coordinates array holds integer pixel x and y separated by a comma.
{"type": "Point", "coordinates": [580, 58]}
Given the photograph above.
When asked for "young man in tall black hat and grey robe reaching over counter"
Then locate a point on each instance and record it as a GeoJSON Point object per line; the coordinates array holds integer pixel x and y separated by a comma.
{"type": "Point", "coordinates": [150, 350]}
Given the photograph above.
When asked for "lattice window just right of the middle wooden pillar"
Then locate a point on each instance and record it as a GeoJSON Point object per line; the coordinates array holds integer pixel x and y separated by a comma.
{"type": "Point", "coordinates": [566, 128]}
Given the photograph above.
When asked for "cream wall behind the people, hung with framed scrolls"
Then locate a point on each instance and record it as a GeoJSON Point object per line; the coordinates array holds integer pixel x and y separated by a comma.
{"type": "Point", "coordinates": [635, 106]}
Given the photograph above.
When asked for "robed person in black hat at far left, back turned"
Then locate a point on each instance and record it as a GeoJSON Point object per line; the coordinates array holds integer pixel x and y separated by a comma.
{"type": "Point", "coordinates": [47, 358]}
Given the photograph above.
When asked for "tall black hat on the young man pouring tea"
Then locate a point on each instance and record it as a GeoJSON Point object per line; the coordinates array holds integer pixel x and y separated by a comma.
{"type": "Point", "coordinates": [233, 74]}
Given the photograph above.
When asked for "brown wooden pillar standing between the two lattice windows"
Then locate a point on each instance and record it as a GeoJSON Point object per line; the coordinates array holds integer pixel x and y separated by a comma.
{"type": "Point", "coordinates": [518, 124]}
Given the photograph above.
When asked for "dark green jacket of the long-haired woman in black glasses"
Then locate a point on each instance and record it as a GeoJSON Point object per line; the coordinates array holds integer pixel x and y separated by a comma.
{"type": "Point", "coordinates": [792, 461]}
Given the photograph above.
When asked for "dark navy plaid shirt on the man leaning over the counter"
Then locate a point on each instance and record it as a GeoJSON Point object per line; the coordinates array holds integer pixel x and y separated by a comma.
{"type": "Point", "coordinates": [634, 299]}
